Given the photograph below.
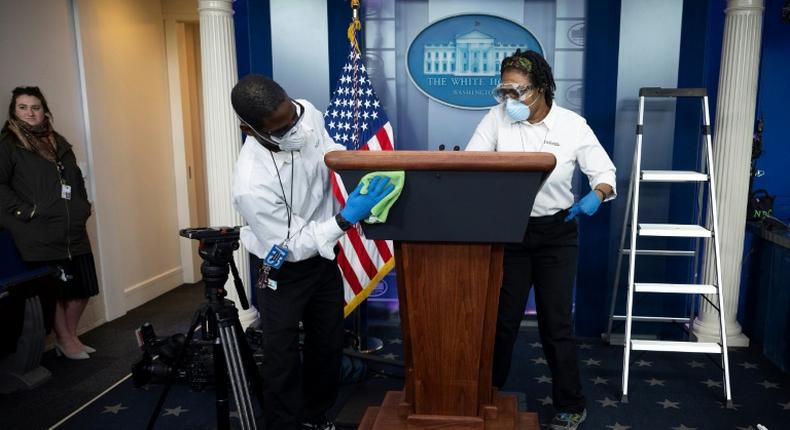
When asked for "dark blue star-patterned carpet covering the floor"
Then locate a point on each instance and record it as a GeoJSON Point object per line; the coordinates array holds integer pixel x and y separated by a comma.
{"type": "Point", "coordinates": [668, 391]}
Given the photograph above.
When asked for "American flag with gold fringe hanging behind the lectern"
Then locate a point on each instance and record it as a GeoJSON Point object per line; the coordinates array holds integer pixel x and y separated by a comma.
{"type": "Point", "coordinates": [356, 119]}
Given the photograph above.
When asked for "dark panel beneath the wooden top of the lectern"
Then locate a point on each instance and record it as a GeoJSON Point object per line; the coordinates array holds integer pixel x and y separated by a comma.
{"type": "Point", "coordinates": [457, 206]}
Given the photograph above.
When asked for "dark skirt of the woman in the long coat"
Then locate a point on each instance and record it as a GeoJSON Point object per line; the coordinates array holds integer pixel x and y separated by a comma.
{"type": "Point", "coordinates": [78, 276]}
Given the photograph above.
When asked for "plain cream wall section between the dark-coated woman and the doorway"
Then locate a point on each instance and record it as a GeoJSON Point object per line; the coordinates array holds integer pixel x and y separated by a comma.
{"type": "Point", "coordinates": [127, 102]}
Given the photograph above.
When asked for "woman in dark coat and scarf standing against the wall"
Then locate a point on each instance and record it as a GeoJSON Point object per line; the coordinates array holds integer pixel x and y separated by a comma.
{"type": "Point", "coordinates": [44, 204]}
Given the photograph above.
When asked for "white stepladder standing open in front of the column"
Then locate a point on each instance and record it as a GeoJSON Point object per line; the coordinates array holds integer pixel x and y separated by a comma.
{"type": "Point", "coordinates": [710, 232]}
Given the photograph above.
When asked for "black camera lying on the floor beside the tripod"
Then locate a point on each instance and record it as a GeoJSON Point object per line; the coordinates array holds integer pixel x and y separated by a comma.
{"type": "Point", "coordinates": [160, 356]}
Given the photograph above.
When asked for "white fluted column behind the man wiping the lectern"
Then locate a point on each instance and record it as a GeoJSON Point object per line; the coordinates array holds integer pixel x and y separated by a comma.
{"type": "Point", "coordinates": [221, 128]}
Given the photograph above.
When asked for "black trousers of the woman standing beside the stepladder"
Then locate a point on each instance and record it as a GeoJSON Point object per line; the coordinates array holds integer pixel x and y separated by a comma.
{"type": "Point", "coordinates": [546, 259]}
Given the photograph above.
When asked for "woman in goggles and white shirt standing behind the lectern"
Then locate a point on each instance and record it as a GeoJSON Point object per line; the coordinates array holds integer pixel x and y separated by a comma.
{"type": "Point", "coordinates": [528, 120]}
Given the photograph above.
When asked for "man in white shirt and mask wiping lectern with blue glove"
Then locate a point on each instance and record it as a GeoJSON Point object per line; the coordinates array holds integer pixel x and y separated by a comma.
{"type": "Point", "coordinates": [283, 191]}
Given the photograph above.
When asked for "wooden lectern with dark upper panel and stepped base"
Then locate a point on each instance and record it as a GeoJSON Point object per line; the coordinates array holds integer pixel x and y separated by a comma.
{"type": "Point", "coordinates": [455, 212]}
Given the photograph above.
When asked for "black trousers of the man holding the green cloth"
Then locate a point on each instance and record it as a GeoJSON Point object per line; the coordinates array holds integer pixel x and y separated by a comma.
{"type": "Point", "coordinates": [301, 387]}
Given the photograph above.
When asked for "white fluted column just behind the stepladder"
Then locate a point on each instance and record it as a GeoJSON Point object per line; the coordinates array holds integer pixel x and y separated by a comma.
{"type": "Point", "coordinates": [734, 125]}
